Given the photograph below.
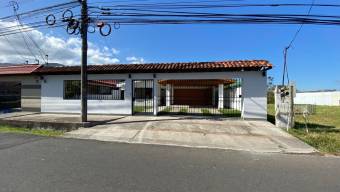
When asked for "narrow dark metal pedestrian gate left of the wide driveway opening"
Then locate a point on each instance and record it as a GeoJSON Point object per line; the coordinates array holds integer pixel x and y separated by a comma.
{"type": "Point", "coordinates": [142, 99]}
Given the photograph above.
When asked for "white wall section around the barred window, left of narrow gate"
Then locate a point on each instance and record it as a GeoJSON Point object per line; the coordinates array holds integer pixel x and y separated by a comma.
{"type": "Point", "coordinates": [52, 93]}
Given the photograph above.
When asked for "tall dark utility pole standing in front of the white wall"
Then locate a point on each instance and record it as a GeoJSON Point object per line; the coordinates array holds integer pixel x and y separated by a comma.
{"type": "Point", "coordinates": [83, 31]}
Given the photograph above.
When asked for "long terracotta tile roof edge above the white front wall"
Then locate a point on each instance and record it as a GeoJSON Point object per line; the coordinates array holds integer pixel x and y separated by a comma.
{"type": "Point", "coordinates": [246, 65]}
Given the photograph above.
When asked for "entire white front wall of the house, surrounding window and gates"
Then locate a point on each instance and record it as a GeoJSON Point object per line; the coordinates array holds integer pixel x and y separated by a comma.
{"type": "Point", "coordinates": [253, 82]}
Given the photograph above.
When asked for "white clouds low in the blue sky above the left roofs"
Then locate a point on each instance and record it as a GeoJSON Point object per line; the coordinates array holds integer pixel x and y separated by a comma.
{"type": "Point", "coordinates": [64, 51]}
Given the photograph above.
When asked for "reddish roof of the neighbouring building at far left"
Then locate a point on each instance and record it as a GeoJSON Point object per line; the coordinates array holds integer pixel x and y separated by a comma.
{"type": "Point", "coordinates": [23, 69]}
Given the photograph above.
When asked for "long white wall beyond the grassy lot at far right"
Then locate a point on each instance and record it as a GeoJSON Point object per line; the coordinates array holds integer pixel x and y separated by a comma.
{"type": "Point", "coordinates": [330, 98]}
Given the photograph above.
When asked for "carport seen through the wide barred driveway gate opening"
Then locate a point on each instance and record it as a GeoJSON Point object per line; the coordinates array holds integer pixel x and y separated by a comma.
{"type": "Point", "coordinates": [209, 97]}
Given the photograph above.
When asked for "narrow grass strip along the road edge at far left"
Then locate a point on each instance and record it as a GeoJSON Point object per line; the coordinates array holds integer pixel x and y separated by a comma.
{"type": "Point", "coordinates": [41, 132]}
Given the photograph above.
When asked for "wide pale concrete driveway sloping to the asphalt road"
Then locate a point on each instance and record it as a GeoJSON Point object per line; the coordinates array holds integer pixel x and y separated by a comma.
{"type": "Point", "coordinates": [234, 134]}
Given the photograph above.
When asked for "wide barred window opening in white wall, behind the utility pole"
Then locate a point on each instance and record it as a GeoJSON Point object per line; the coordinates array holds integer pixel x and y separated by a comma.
{"type": "Point", "coordinates": [97, 89]}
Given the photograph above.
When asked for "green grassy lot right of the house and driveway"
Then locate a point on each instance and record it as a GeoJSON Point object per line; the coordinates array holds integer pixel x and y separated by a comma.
{"type": "Point", "coordinates": [324, 128]}
